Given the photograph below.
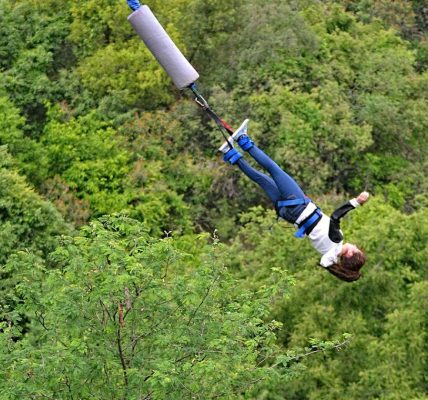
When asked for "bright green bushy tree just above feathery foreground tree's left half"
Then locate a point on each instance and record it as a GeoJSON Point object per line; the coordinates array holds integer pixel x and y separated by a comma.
{"type": "Point", "coordinates": [89, 157]}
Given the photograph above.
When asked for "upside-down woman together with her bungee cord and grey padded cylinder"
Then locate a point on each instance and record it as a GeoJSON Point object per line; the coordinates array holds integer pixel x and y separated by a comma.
{"type": "Point", "coordinates": [343, 260]}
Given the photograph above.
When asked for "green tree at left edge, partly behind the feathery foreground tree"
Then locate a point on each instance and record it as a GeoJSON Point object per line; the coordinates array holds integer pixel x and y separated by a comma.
{"type": "Point", "coordinates": [28, 223]}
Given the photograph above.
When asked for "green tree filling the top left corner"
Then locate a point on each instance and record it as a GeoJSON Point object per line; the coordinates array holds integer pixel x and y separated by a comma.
{"type": "Point", "coordinates": [31, 68]}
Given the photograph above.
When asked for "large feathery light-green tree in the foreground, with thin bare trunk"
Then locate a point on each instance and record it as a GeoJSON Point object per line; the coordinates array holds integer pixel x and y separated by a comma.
{"type": "Point", "coordinates": [126, 316]}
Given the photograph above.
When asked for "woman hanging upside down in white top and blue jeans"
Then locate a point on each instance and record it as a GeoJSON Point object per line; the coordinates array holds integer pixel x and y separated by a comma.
{"type": "Point", "coordinates": [344, 260]}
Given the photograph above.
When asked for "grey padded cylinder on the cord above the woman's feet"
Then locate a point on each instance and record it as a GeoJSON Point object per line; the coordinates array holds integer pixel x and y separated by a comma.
{"type": "Point", "coordinates": [163, 48]}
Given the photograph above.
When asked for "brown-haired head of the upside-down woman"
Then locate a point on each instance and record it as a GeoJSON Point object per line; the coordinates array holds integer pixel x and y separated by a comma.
{"type": "Point", "coordinates": [349, 263]}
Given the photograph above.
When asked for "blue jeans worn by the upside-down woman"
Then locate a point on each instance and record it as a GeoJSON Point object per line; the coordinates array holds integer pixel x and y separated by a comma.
{"type": "Point", "coordinates": [280, 187]}
